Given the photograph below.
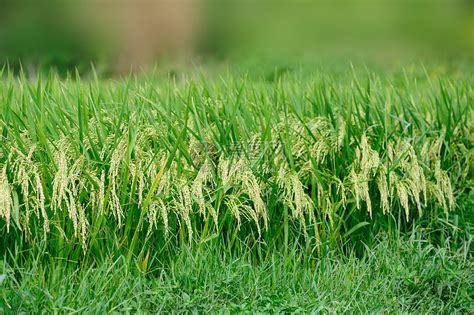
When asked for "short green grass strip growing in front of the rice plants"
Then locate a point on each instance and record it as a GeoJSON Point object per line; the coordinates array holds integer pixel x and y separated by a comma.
{"type": "Point", "coordinates": [404, 275]}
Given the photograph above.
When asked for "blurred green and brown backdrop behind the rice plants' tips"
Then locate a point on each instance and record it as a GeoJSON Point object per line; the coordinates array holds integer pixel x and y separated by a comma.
{"type": "Point", "coordinates": [119, 36]}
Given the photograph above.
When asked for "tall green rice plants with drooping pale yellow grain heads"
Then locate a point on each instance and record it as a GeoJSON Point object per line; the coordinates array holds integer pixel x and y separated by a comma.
{"type": "Point", "coordinates": [93, 168]}
